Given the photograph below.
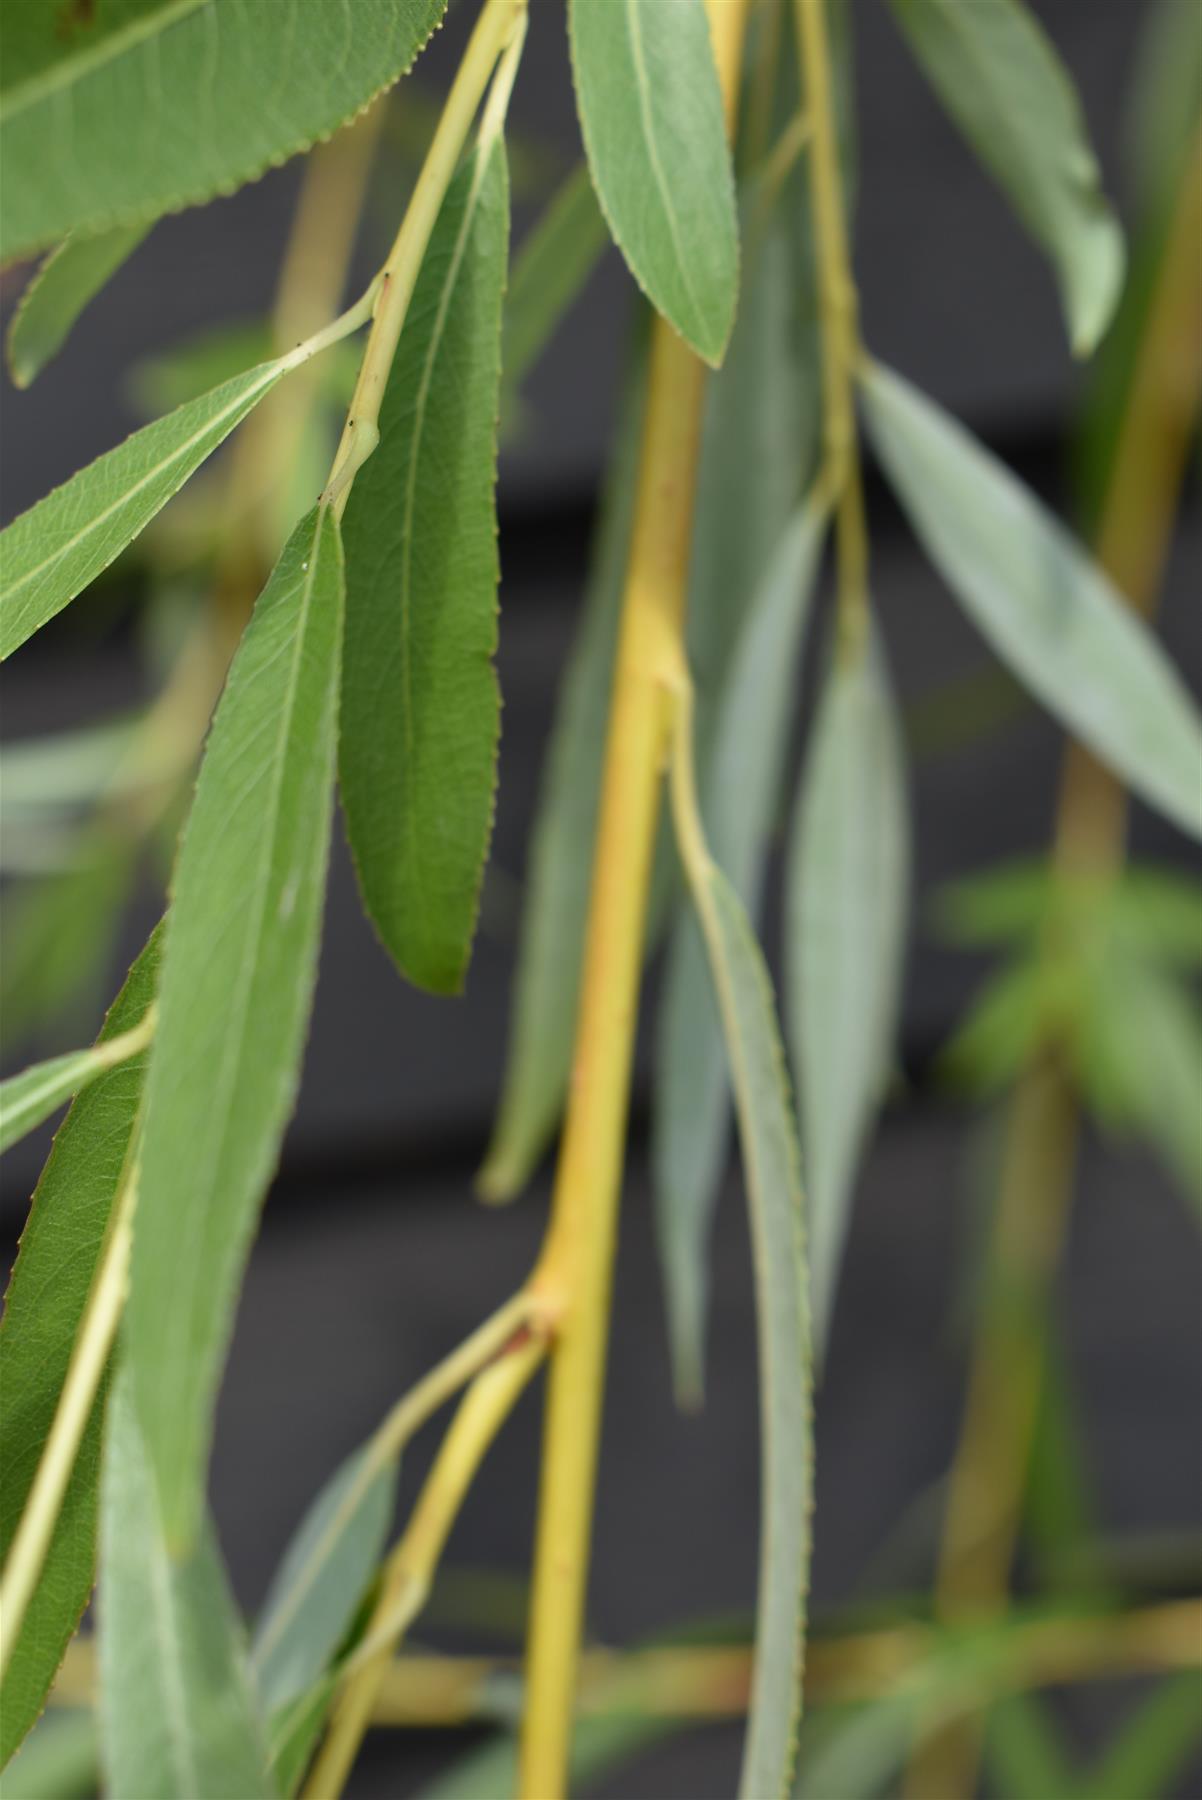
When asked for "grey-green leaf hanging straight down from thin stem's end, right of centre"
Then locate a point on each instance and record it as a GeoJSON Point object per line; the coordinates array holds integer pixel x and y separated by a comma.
{"type": "Point", "coordinates": [848, 881]}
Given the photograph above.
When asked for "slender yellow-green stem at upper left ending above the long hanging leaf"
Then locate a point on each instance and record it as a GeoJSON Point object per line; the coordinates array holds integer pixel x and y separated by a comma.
{"type": "Point", "coordinates": [492, 37]}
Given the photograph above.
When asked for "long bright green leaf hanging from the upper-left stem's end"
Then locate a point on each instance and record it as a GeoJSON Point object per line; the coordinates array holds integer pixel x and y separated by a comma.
{"type": "Point", "coordinates": [240, 960]}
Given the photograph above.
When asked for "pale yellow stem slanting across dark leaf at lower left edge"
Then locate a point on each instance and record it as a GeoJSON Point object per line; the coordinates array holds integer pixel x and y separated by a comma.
{"type": "Point", "coordinates": [58, 1459]}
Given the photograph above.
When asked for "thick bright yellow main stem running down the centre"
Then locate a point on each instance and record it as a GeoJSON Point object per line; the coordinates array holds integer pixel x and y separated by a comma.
{"type": "Point", "coordinates": [575, 1270]}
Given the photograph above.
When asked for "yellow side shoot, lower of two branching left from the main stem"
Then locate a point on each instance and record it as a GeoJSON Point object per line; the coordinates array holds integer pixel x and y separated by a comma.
{"type": "Point", "coordinates": [409, 1570]}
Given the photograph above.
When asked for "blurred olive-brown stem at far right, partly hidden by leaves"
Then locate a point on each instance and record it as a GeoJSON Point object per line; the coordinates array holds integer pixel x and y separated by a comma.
{"type": "Point", "coordinates": [1007, 1367]}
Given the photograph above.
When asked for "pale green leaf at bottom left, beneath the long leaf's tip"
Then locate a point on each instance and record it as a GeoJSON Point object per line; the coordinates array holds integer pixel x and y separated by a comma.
{"type": "Point", "coordinates": [177, 1711]}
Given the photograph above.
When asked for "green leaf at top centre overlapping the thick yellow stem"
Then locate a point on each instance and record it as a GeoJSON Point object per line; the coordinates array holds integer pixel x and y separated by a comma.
{"type": "Point", "coordinates": [650, 111]}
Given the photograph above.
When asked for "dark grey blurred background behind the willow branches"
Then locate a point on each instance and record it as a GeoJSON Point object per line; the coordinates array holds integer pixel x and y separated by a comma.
{"type": "Point", "coordinates": [375, 1259]}
